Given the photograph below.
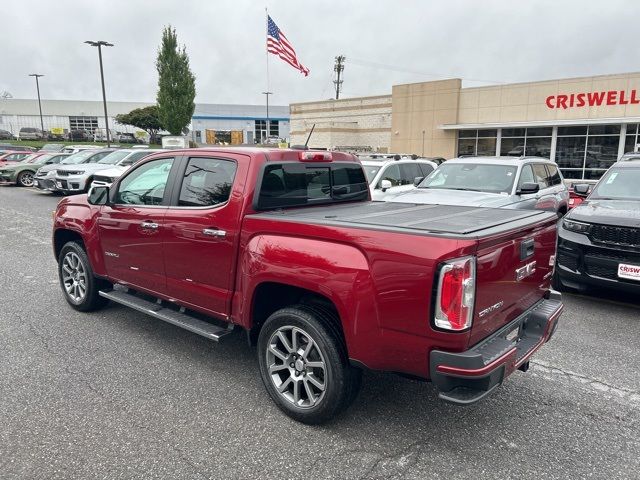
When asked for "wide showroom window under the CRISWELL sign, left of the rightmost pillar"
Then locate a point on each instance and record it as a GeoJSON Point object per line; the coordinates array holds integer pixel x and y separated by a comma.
{"type": "Point", "coordinates": [585, 152]}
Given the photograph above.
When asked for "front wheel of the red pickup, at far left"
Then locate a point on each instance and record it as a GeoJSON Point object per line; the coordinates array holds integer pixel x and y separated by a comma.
{"type": "Point", "coordinates": [79, 285]}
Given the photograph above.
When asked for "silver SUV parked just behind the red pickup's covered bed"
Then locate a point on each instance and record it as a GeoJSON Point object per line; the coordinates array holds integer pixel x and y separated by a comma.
{"type": "Point", "coordinates": [524, 182]}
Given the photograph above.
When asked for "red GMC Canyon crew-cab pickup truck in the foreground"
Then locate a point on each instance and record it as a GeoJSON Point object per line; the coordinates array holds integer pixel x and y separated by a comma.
{"type": "Point", "coordinates": [287, 246]}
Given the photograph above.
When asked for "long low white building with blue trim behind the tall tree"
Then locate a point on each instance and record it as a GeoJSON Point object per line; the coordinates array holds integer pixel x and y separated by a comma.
{"type": "Point", "coordinates": [211, 123]}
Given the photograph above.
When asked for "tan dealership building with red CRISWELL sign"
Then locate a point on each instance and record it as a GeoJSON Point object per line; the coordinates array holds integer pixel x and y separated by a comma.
{"type": "Point", "coordinates": [584, 124]}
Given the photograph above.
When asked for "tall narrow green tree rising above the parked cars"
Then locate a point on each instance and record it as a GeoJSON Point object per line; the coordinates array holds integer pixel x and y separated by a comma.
{"type": "Point", "coordinates": [176, 84]}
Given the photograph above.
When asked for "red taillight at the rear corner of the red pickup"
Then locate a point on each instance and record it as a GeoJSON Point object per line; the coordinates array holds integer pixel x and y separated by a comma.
{"type": "Point", "coordinates": [456, 294]}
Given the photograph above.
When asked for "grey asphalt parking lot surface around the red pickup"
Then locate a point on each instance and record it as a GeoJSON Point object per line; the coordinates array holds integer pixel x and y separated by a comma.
{"type": "Point", "coordinates": [116, 394]}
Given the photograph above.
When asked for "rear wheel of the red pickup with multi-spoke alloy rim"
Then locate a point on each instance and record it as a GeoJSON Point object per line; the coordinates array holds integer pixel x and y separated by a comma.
{"type": "Point", "coordinates": [304, 365]}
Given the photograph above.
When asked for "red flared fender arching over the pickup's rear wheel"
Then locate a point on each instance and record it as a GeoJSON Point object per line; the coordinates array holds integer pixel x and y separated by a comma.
{"type": "Point", "coordinates": [336, 271]}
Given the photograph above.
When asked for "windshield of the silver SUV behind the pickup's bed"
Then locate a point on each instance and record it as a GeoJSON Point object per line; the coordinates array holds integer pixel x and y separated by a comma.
{"type": "Point", "coordinates": [472, 176]}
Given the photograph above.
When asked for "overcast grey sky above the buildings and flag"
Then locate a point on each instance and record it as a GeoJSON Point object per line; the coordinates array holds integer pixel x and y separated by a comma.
{"type": "Point", "coordinates": [385, 42]}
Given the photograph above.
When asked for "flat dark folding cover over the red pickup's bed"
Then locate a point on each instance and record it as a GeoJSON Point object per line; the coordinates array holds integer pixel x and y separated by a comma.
{"type": "Point", "coordinates": [441, 220]}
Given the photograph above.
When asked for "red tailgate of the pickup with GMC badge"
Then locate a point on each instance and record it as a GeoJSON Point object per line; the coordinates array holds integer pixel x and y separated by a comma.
{"type": "Point", "coordinates": [514, 272]}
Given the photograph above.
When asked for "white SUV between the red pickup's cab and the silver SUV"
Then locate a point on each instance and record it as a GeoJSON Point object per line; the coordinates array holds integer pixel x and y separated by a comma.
{"type": "Point", "coordinates": [394, 174]}
